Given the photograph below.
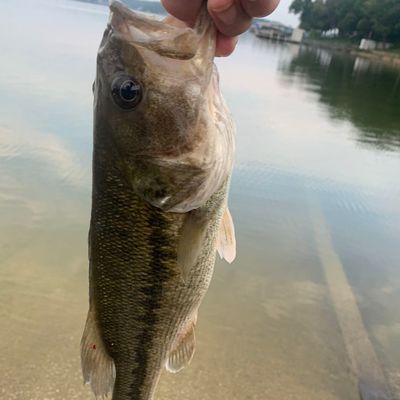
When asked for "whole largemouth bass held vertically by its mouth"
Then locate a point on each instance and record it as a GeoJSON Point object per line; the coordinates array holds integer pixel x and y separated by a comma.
{"type": "Point", "coordinates": [162, 160]}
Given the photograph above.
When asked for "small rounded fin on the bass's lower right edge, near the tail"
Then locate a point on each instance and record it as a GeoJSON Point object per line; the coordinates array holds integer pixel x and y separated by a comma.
{"type": "Point", "coordinates": [183, 350]}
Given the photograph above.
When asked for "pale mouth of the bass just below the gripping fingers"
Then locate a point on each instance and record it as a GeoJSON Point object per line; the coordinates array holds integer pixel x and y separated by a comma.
{"type": "Point", "coordinates": [166, 39]}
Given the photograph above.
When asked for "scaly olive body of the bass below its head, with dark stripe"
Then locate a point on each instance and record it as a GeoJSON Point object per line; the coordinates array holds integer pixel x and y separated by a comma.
{"type": "Point", "coordinates": [136, 282]}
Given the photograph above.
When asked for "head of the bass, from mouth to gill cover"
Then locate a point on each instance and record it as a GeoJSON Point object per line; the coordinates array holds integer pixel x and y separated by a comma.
{"type": "Point", "coordinates": [157, 105]}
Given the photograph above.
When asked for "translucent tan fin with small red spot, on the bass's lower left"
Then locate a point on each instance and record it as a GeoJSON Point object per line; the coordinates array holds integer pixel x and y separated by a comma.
{"type": "Point", "coordinates": [97, 366]}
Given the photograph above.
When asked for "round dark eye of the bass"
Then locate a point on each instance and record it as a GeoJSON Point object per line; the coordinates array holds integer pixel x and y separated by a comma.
{"type": "Point", "coordinates": [126, 92]}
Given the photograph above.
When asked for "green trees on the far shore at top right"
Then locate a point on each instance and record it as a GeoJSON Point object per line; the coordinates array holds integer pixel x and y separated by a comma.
{"type": "Point", "coordinates": [373, 19]}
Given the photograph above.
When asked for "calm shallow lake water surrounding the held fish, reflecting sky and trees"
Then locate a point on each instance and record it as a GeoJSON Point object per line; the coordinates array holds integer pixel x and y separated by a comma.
{"type": "Point", "coordinates": [309, 310]}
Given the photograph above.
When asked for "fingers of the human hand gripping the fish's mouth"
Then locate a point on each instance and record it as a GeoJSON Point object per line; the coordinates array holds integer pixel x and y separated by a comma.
{"type": "Point", "coordinates": [231, 17]}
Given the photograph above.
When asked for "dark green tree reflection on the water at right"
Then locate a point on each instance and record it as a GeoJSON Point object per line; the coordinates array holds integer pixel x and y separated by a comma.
{"type": "Point", "coordinates": [355, 89]}
